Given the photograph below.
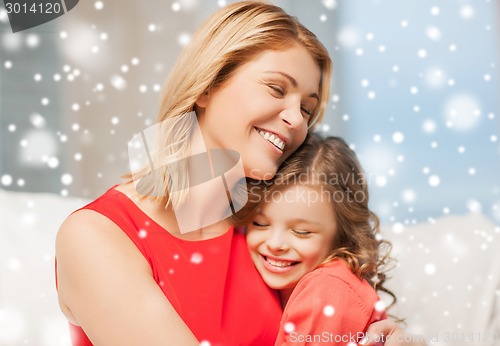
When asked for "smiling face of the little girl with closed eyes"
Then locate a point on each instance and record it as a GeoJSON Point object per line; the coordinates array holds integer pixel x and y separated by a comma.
{"type": "Point", "coordinates": [292, 234]}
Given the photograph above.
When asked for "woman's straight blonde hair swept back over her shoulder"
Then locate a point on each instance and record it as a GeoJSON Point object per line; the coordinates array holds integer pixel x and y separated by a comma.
{"type": "Point", "coordinates": [225, 41]}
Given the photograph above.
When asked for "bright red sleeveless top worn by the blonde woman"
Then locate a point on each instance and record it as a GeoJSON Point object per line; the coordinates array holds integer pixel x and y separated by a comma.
{"type": "Point", "coordinates": [212, 283]}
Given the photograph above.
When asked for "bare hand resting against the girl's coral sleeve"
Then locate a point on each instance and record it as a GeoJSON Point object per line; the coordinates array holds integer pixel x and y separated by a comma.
{"type": "Point", "coordinates": [388, 333]}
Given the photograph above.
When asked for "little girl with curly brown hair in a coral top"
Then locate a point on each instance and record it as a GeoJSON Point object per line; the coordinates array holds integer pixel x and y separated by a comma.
{"type": "Point", "coordinates": [313, 238]}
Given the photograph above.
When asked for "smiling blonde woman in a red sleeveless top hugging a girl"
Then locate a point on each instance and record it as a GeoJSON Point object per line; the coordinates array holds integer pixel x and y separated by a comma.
{"type": "Point", "coordinates": [126, 272]}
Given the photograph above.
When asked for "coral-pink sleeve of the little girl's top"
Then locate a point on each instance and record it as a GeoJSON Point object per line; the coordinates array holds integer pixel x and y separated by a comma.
{"type": "Point", "coordinates": [325, 309]}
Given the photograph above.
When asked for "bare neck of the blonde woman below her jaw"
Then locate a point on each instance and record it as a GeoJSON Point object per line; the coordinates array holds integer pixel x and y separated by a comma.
{"type": "Point", "coordinates": [214, 176]}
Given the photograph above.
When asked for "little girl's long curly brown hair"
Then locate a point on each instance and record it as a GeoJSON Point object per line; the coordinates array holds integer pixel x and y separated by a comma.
{"type": "Point", "coordinates": [331, 166]}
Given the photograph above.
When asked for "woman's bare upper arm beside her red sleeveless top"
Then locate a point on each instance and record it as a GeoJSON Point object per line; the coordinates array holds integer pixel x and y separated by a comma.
{"type": "Point", "coordinates": [105, 285]}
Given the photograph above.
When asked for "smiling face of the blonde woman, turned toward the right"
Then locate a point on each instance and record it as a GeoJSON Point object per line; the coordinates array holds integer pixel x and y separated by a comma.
{"type": "Point", "coordinates": [262, 110]}
